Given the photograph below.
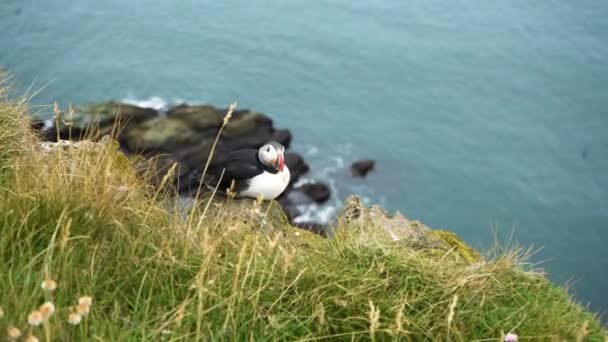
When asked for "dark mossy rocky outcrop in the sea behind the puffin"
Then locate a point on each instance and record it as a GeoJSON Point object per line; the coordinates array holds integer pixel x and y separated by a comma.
{"type": "Point", "coordinates": [182, 135]}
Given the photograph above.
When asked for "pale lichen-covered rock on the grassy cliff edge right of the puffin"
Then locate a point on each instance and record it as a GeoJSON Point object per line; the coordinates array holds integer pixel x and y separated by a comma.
{"type": "Point", "coordinates": [398, 228]}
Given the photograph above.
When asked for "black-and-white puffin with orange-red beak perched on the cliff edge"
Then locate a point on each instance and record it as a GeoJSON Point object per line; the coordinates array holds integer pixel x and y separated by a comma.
{"type": "Point", "coordinates": [252, 173]}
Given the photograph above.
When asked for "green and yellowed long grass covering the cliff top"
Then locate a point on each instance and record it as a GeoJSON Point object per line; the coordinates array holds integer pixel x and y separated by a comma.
{"type": "Point", "coordinates": [87, 218]}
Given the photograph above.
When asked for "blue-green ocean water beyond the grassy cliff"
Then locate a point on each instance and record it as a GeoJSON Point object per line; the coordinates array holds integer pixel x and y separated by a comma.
{"type": "Point", "coordinates": [487, 118]}
